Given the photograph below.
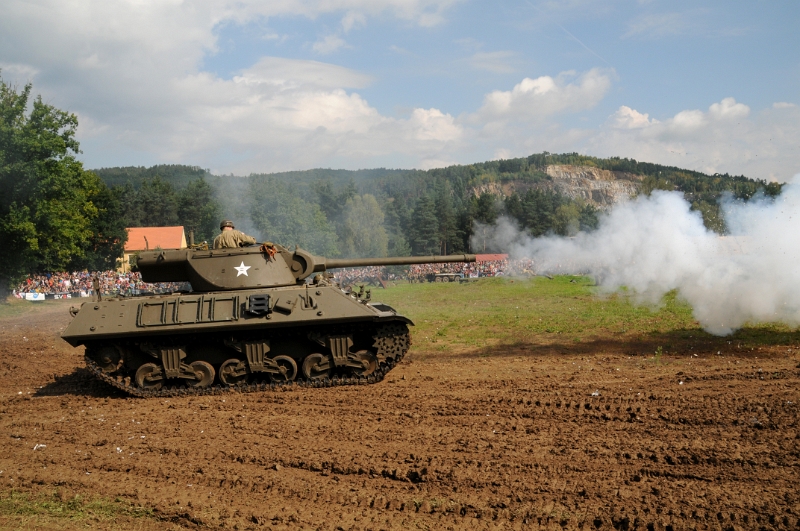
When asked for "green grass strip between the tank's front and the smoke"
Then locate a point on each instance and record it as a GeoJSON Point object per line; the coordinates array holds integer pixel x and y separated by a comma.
{"type": "Point", "coordinates": [567, 309]}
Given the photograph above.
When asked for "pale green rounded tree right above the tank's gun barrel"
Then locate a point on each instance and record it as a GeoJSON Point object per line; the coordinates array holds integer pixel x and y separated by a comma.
{"type": "Point", "coordinates": [364, 233]}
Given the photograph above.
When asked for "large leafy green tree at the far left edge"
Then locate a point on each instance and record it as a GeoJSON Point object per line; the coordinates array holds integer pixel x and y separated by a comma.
{"type": "Point", "coordinates": [47, 199]}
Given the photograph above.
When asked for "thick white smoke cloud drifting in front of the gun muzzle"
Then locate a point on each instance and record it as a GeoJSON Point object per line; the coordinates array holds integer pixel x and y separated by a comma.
{"type": "Point", "coordinates": [656, 244]}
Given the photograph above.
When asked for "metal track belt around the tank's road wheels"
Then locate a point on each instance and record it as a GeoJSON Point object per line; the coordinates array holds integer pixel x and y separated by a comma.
{"type": "Point", "coordinates": [392, 347]}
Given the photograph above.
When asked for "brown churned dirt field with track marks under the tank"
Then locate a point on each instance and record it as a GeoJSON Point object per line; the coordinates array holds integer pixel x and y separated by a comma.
{"type": "Point", "coordinates": [548, 435]}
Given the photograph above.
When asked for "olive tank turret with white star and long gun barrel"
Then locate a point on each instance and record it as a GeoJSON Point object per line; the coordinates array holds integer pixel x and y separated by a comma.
{"type": "Point", "coordinates": [265, 266]}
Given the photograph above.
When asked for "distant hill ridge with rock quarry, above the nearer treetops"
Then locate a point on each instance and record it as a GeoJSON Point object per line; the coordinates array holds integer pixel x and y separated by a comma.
{"type": "Point", "coordinates": [600, 182]}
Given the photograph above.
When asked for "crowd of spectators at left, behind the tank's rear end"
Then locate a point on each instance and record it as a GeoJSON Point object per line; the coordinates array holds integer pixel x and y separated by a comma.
{"type": "Point", "coordinates": [80, 284]}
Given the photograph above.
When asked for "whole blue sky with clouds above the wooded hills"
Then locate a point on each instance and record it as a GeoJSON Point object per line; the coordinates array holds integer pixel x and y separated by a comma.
{"type": "Point", "coordinates": [241, 86]}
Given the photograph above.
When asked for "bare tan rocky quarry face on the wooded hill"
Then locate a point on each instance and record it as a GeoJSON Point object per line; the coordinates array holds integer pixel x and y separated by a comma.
{"type": "Point", "coordinates": [600, 188]}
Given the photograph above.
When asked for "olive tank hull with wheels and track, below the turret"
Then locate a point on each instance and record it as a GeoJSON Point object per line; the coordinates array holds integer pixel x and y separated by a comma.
{"type": "Point", "coordinates": [246, 339]}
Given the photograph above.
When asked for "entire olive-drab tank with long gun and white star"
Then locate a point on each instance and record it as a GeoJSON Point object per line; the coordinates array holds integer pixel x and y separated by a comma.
{"type": "Point", "coordinates": [254, 319]}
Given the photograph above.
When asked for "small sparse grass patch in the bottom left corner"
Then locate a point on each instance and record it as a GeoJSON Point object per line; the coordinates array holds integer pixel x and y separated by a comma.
{"type": "Point", "coordinates": [18, 504]}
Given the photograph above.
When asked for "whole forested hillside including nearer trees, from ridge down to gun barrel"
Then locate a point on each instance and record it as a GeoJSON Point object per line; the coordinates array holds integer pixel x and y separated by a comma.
{"type": "Point", "coordinates": [401, 212]}
